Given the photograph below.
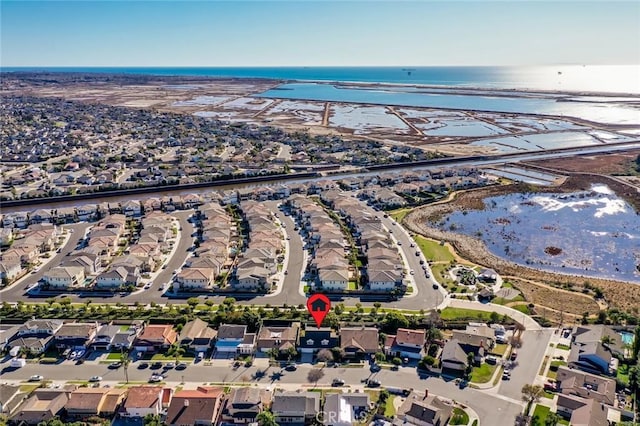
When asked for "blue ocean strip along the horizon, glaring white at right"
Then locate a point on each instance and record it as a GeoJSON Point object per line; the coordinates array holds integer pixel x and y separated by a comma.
{"type": "Point", "coordinates": [588, 78]}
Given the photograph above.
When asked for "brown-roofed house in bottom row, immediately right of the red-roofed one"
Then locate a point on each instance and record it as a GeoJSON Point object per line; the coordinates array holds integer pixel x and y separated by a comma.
{"type": "Point", "coordinates": [199, 407]}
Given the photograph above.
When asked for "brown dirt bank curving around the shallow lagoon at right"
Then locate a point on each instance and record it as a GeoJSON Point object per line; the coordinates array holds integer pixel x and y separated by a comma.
{"type": "Point", "coordinates": [622, 295]}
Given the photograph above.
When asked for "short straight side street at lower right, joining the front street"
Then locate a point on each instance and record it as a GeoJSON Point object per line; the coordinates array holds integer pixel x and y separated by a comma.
{"type": "Point", "coordinates": [528, 362]}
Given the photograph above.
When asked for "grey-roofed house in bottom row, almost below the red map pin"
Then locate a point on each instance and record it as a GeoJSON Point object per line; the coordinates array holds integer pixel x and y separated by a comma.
{"type": "Point", "coordinates": [295, 408]}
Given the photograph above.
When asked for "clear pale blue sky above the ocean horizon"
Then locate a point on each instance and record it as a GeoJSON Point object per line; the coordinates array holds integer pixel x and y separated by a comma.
{"type": "Point", "coordinates": [320, 33]}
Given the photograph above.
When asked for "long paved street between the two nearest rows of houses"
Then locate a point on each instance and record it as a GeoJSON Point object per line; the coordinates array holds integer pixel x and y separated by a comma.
{"type": "Point", "coordinates": [494, 410]}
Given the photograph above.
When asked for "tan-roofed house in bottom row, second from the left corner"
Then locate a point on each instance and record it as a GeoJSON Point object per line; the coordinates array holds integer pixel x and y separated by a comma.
{"type": "Point", "coordinates": [42, 406]}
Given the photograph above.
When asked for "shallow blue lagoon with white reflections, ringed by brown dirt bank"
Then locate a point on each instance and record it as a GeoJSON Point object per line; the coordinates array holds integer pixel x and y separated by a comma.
{"type": "Point", "coordinates": [597, 233]}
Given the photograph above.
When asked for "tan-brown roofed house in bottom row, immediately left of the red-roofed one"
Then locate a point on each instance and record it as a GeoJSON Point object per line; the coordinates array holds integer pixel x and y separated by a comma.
{"type": "Point", "coordinates": [87, 402]}
